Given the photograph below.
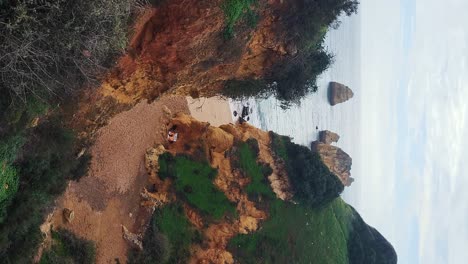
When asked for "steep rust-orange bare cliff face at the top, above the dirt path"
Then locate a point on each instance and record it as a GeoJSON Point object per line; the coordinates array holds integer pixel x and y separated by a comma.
{"type": "Point", "coordinates": [179, 47]}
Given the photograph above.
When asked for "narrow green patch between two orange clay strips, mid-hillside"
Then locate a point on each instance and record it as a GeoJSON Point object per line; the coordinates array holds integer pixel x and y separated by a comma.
{"type": "Point", "coordinates": [258, 173]}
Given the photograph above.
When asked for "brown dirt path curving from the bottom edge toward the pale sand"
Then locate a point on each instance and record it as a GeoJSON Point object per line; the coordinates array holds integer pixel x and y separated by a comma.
{"type": "Point", "coordinates": [108, 197]}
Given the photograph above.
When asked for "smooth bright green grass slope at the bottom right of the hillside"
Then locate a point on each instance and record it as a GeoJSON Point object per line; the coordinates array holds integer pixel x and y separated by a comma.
{"type": "Point", "coordinates": [296, 234]}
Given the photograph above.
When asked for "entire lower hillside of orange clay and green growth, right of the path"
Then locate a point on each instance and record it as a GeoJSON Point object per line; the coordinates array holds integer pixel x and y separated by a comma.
{"type": "Point", "coordinates": [234, 188]}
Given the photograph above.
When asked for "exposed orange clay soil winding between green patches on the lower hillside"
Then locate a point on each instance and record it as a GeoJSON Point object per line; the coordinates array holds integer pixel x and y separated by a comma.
{"type": "Point", "coordinates": [214, 142]}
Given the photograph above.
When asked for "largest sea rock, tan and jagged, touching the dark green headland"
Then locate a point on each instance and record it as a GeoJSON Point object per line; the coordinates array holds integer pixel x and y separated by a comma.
{"type": "Point", "coordinates": [337, 161]}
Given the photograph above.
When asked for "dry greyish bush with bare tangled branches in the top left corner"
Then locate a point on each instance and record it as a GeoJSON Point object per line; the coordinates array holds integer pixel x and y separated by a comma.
{"type": "Point", "coordinates": [52, 46]}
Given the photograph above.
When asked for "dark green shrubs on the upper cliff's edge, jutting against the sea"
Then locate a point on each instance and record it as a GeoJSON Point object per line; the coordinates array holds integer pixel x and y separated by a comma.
{"type": "Point", "coordinates": [303, 25]}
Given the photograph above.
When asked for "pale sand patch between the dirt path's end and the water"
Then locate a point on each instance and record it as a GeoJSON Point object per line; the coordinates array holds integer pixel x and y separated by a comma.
{"type": "Point", "coordinates": [214, 110]}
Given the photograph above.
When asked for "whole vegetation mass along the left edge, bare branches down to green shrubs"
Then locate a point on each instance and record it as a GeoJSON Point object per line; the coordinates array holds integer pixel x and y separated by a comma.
{"type": "Point", "coordinates": [48, 50]}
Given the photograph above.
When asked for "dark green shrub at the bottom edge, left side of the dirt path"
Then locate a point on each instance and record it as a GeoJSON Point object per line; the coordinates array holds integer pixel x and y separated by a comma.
{"type": "Point", "coordinates": [67, 248]}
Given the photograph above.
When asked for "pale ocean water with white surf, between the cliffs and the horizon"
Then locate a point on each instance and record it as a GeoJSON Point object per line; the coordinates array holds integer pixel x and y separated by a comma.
{"type": "Point", "coordinates": [303, 122]}
